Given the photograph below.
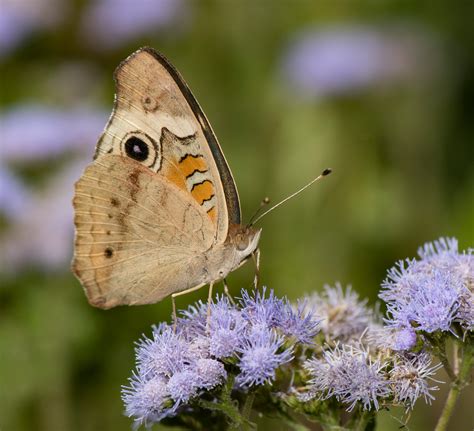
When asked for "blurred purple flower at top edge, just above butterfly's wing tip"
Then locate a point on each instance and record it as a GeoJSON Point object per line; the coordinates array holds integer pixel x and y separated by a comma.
{"type": "Point", "coordinates": [111, 23]}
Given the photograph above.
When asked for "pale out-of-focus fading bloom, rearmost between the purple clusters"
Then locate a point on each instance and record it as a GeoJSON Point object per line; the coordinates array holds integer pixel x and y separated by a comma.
{"type": "Point", "coordinates": [343, 316]}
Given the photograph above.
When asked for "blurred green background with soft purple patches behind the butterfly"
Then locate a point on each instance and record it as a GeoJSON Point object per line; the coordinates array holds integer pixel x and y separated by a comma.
{"type": "Point", "coordinates": [382, 92]}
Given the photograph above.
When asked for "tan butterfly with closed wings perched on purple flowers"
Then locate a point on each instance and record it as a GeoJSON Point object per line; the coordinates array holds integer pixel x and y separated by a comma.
{"type": "Point", "coordinates": [157, 212]}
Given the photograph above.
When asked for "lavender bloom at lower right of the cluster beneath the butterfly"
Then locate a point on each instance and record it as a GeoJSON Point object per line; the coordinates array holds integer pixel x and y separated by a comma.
{"type": "Point", "coordinates": [260, 357]}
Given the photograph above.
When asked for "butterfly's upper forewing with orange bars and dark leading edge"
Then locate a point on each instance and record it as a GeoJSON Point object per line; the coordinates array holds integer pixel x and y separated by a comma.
{"type": "Point", "coordinates": [154, 104]}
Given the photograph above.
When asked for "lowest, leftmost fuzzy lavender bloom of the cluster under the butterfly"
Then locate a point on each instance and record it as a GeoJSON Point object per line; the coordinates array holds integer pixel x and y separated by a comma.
{"type": "Point", "coordinates": [147, 400]}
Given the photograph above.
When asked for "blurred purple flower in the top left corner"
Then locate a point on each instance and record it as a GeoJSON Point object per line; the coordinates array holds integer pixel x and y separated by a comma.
{"type": "Point", "coordinates": [19, 19]}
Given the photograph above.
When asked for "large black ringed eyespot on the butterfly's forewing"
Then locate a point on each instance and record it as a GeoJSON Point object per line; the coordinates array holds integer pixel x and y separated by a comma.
{"type": "Point", "coordinates": [140, 147]}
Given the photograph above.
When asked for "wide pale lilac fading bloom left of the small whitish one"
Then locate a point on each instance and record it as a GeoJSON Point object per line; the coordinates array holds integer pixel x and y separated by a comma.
{"type": "Point", "coordinates": [349, 374]}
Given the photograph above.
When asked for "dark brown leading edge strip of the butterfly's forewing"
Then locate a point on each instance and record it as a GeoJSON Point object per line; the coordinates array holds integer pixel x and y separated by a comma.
{"type": "Point", "coordinates": [230, 190]}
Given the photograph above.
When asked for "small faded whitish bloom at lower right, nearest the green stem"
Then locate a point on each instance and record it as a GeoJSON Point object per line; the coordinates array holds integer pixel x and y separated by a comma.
{"type": "Point", "coordinates": [410, 377]}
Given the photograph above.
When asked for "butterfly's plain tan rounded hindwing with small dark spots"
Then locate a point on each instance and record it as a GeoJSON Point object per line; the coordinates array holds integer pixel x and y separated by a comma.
{"type": "Point", "coordinates": [139, 237]}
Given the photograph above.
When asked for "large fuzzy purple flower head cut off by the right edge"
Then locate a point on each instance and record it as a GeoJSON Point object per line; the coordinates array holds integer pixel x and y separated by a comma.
{"type": "Point", "coordinates": [432, 293]}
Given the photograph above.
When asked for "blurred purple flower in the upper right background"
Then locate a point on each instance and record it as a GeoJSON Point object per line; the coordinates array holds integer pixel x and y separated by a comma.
{"type": "Point", "coordinates": [346, 59]}
